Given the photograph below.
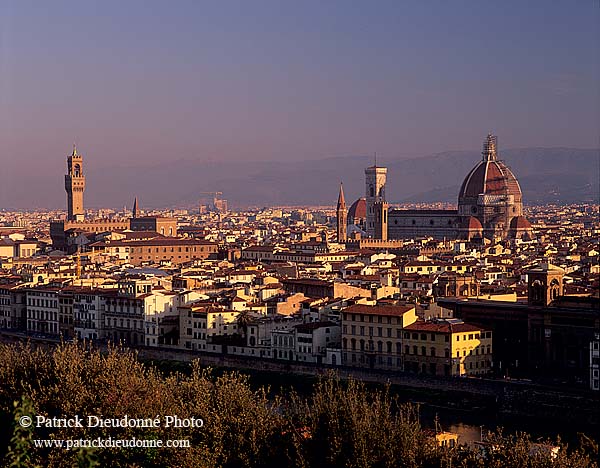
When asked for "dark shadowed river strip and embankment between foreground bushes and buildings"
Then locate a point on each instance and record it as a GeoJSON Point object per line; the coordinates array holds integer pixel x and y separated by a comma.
{"type": "Point", "coordinates": [520, 406]}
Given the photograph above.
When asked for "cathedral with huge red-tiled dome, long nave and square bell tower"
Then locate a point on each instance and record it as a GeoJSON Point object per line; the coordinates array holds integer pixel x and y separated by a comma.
{"type": "Point", "coordinates": [490, 205]}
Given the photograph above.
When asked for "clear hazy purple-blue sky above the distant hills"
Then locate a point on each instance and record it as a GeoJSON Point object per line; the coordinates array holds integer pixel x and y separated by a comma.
{"type": "Point", "coordinates": [142, 82]}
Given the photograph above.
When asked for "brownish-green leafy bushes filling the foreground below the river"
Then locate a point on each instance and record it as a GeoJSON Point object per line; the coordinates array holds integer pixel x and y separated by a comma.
{"type": "Point", "coordinates": [341, 424]}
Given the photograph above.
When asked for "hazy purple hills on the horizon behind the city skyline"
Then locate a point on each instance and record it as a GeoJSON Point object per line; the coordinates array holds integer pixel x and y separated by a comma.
{"type": "Point", "coordinates": [546, 175]}
